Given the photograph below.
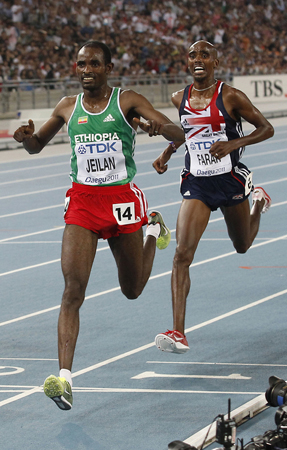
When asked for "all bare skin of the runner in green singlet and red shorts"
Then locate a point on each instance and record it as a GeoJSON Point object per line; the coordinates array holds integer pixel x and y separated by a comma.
{"type": "Point", "coordinates": [133, 259]}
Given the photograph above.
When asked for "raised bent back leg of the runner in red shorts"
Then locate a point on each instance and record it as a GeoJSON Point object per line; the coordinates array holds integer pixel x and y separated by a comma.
{"type": "Point", "coordinates": [134, 261]}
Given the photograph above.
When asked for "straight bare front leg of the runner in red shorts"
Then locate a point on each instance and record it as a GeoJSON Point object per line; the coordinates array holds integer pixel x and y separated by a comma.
{"type": "Point", "coordinates": [78, 253]}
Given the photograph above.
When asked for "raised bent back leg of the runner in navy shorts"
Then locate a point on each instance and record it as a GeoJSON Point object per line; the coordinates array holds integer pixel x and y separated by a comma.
{"type": "Point", "coordinates": [242, 225]}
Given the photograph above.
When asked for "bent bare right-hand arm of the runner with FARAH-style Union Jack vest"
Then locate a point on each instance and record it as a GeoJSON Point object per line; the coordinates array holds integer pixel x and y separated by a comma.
{"type": "Point", "coordinates": [238, 105]}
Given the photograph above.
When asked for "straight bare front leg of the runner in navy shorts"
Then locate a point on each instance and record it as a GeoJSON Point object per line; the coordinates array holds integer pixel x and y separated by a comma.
{"type": "Point", "coordinates": [192, 220]}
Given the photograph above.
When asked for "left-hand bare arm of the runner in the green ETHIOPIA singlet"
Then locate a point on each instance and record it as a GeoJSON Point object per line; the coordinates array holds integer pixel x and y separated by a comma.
{"type": "Point", "coordinates": [35, 142]}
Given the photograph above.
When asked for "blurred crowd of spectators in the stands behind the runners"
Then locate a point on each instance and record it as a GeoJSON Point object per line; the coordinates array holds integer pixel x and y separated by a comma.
{"type": "Point", "coordinates": [39, 40]}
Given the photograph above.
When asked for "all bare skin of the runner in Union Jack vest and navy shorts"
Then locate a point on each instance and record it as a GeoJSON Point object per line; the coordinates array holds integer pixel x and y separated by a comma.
{"type": "Point", "coordinates": [194, 215]}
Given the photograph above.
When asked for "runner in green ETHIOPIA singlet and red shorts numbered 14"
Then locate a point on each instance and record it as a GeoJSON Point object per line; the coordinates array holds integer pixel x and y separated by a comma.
{"type": "Point", "coordinates": [103, 201]}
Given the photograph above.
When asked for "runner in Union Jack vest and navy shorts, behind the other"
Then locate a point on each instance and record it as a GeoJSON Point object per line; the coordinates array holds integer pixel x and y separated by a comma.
{"type": "Point", "coordinates": [213, 177]}
